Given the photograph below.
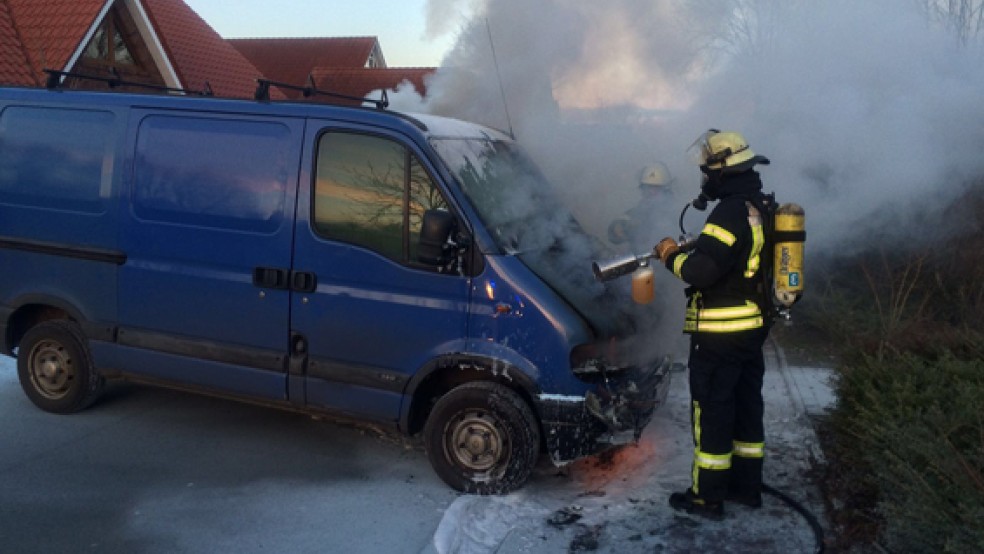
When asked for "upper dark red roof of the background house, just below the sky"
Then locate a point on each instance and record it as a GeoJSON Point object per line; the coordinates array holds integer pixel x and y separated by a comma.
{"type": "Point", "coordinates": [291, 60]}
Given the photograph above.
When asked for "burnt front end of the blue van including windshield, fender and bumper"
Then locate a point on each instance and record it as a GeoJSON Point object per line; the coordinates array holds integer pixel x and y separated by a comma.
{"type": "Point", "coordinates": [584, 345]}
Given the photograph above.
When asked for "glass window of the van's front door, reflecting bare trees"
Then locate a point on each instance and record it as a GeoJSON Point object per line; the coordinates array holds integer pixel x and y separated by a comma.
{"type": "Point", "coordinates": [372, 192]}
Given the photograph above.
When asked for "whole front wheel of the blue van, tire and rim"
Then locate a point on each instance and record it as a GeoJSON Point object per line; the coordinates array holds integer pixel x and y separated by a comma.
{"type": "Point", "coordinates": [482, 438]}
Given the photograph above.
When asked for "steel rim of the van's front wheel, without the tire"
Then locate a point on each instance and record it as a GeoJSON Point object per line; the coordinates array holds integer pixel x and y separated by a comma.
{"type": "Point", "coordinates": [475, 442]}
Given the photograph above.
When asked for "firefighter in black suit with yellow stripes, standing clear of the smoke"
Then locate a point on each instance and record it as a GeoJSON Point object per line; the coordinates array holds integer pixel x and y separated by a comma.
{"type": "Point", "coordinates": [727, 327]}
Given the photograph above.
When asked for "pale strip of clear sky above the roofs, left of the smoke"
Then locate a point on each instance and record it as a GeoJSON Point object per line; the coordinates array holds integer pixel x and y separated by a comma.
{"type": "Point", "coordinates": [400, 25]}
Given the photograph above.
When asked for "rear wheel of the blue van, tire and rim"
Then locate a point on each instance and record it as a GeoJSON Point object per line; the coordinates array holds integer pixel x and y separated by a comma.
{"type": "Point", "coordinates": [55, 368]}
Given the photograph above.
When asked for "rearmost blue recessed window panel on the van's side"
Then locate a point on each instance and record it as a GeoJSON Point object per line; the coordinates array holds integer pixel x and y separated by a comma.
{"type": "Point", "coordinates": [56, 158]}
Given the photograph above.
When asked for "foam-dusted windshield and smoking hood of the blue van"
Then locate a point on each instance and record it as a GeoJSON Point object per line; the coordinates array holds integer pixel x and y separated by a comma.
{"type": "Point", "coordinates": [527, 219]}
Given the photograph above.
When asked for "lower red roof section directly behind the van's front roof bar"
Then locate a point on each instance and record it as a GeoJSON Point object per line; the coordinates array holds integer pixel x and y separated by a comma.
{"type": "Point", "coordinates": [360, 82]}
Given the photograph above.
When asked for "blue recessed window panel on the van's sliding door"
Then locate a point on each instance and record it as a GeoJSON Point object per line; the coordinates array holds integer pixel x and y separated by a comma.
{"type": "Point", "coordinates": [219, 173]}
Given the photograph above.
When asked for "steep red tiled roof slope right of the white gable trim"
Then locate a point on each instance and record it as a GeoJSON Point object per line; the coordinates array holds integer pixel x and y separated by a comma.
{"type": "Point", "coordinates": [198, 53]}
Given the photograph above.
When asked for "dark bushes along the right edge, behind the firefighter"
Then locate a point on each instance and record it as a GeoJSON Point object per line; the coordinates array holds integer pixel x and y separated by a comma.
{"type": "Point", "coordinates": [905, 443]}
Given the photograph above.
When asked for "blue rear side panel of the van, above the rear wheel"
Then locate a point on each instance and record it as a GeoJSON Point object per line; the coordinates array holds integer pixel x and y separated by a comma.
{"type": "Point", "coordinates": [59, 181]}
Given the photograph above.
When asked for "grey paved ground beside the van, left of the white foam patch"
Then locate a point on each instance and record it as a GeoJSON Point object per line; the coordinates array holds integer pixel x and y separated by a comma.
{"type": "Point", "coordinates": [155, 471]}
